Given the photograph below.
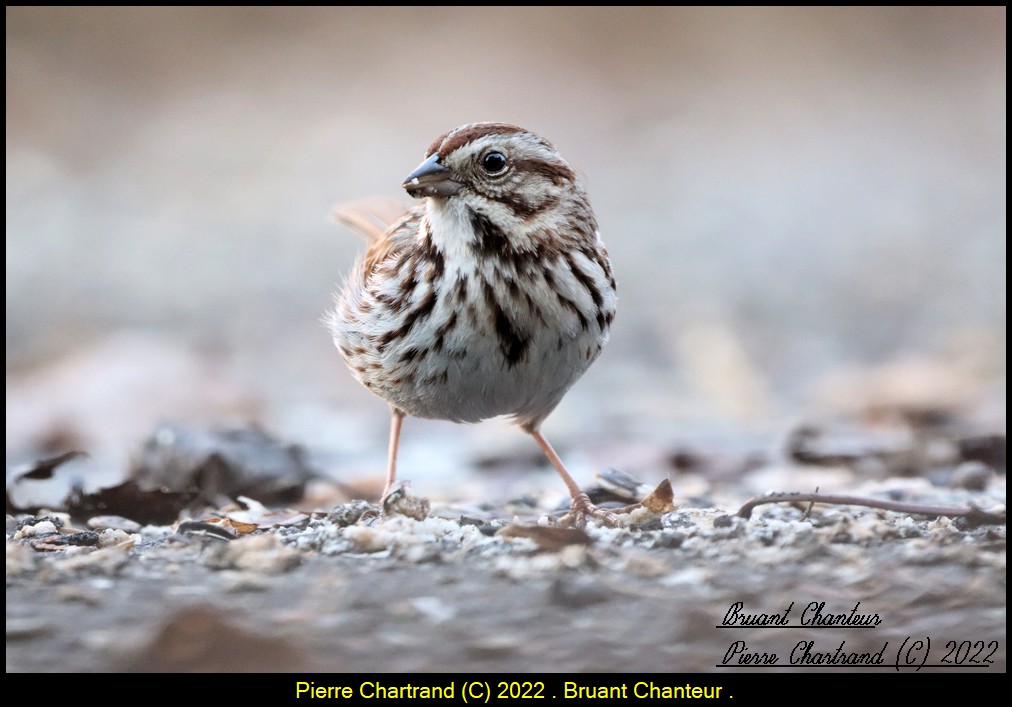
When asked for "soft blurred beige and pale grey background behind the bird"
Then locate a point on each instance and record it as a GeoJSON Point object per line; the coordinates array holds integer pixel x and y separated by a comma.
{"type": "Point", "coordinates": [806, 210]}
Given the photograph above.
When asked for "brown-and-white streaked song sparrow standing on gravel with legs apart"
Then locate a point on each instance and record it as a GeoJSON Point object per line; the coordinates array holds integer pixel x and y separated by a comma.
{"type": "Point", "coordinates": [492, 297]}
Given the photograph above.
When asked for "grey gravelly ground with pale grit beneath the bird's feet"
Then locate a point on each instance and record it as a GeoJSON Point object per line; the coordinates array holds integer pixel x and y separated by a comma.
{"type": "Point", "coordinates": [457, 592]}
